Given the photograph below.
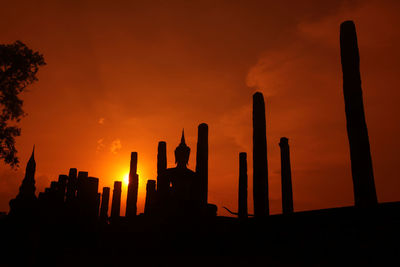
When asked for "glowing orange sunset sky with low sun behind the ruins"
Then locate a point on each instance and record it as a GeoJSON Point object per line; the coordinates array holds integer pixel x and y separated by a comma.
{"type": "Point", "coordinates": [123, 75]}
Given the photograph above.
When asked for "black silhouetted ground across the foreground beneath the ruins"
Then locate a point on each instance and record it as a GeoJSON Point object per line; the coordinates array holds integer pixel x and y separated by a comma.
{"type": "Point", "coordinates": [332, 237]}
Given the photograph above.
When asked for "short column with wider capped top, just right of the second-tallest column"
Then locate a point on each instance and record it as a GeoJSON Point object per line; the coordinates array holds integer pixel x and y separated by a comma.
{"type": "Point", "coordinates": [286, 177]}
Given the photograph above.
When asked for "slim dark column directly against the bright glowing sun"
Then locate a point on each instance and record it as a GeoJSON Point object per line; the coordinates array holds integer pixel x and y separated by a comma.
{"type": "Point", "coordinates": [131, 199]}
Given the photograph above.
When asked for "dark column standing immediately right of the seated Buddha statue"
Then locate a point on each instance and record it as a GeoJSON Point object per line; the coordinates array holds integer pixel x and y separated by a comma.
{"type": "Point", "coordinates": [202, 161]}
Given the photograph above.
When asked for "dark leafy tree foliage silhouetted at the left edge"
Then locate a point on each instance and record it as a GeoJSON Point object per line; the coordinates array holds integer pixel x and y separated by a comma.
{"type": "Point", "coordinates": [18, 68]}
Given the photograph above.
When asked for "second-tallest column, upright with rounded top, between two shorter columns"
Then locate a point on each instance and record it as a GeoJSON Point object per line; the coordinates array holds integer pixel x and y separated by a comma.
{"type": "Point", "coordinates": [260, 164]}
